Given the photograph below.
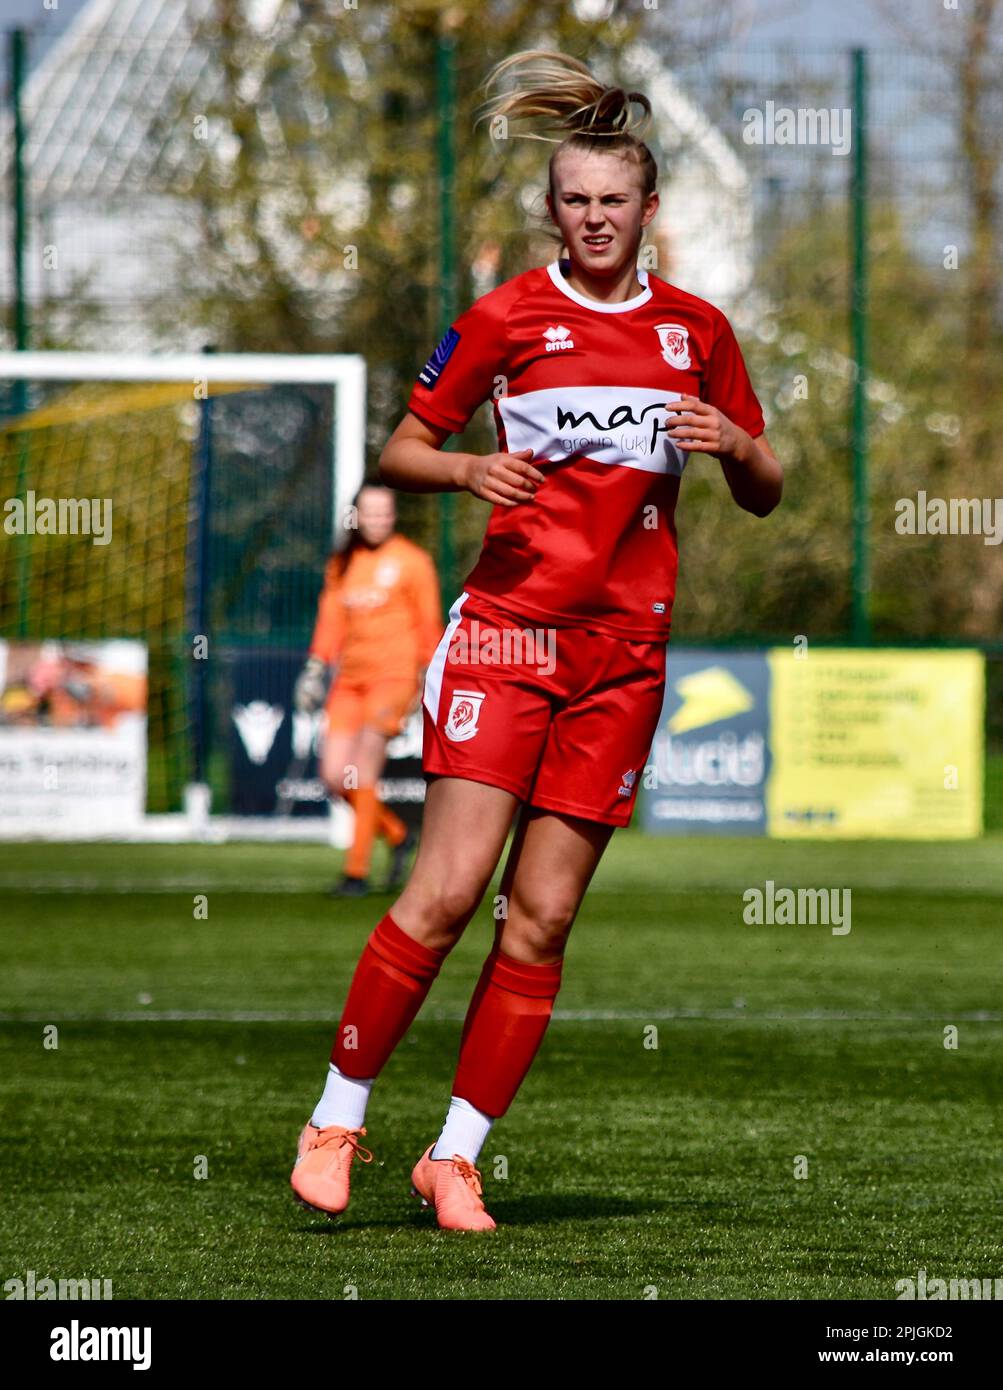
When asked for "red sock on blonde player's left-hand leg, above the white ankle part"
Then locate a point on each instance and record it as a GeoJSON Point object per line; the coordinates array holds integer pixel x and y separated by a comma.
{"type": "Point", "coordinates": [394, 975]}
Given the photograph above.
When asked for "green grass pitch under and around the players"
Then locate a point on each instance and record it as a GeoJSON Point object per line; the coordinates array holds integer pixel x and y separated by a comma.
{"type": "Point", "coordinates": [693, 1065]}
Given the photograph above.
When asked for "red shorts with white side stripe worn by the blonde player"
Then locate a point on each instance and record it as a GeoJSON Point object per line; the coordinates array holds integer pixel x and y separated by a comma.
{"type": "Point", "coordinates": [562, 718]}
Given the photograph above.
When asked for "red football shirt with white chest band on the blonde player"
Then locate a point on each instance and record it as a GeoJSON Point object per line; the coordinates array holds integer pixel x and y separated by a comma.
{"type": "Point", "coordinates": [586, 386]}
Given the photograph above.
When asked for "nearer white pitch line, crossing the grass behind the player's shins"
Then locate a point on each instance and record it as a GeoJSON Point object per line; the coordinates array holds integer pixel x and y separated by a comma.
{"type": "Point", "coordinates": [561, 1017]}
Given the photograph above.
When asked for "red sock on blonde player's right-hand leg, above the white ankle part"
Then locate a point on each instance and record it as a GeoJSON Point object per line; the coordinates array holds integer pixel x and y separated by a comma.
{"type": "Point", "coordinates": [504, 1031]}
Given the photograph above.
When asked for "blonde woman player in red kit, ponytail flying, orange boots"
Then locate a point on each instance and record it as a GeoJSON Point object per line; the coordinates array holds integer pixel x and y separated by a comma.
{"type": "Point", "coordinates": [547, 686]}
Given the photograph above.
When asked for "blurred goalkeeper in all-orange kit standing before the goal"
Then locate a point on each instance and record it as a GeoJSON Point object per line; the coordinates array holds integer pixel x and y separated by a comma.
{"type": "Point", "coordinates": [380, 621]}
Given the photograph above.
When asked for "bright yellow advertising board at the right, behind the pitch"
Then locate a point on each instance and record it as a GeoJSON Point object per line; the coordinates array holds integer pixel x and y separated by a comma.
{"type": "Point", "coordinates": [876, 744]}
